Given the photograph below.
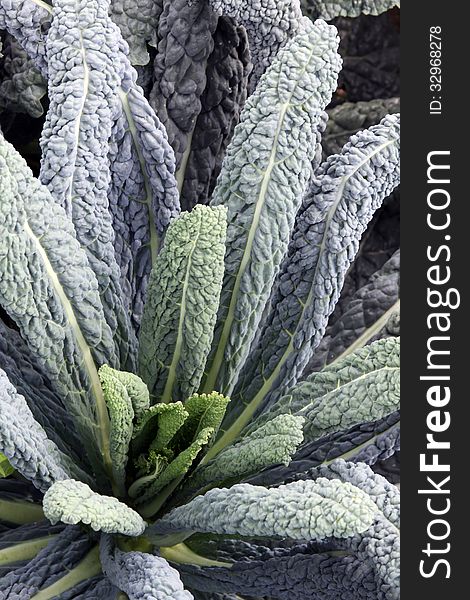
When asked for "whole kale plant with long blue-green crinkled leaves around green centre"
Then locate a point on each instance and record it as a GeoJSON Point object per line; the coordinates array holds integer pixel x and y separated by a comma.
{"type": "Point", "coordinates": [189, 406]}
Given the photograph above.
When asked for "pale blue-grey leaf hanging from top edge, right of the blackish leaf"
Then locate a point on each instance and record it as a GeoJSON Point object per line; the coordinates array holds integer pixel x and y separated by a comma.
{"type": "Point", "coordinates": [269, 25]}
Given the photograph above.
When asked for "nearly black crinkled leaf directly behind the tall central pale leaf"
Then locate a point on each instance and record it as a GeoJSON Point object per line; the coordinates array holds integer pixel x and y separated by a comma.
{"type": "Point", "coordinates": [228, 67]}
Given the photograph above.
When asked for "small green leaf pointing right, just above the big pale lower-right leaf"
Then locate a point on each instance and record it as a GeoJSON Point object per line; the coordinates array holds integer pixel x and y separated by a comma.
{"type": "Point", "coordinates": [272, 443]}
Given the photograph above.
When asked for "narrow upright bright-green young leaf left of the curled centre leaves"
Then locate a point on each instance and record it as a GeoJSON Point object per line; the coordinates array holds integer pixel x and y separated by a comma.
{"type": "Point", "coordinates": [121, 416]}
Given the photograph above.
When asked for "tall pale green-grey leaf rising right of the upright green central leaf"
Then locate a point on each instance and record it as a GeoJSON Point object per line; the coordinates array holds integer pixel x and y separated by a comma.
{"type": "Point", "coordinates": [264, 176]}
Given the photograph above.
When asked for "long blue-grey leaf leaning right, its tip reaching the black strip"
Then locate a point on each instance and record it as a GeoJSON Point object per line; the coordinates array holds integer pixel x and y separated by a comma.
{"type": "Point", "coordinates": [344, 195]}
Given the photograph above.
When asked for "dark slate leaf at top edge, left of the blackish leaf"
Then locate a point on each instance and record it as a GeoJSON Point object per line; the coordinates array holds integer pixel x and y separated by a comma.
{"type": "Point", "coordinates": [185, 31]}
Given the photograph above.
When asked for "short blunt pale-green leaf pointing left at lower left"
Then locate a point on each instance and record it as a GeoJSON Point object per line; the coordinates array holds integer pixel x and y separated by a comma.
{"type": "Point", "coordinates": [73, 502]}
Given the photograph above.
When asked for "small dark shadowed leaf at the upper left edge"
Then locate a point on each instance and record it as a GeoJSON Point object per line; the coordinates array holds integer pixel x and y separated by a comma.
{"type": "Point", "coordinates": [22, 87]}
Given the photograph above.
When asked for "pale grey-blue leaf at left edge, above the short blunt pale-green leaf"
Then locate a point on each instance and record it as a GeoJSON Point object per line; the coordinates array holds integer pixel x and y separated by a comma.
{"type": "Point", "coordinates": [25, 444]}
